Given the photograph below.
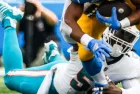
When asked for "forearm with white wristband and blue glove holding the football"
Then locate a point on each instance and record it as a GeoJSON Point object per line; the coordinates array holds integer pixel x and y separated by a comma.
{"type": "Point", "coordinates": [113, 21]}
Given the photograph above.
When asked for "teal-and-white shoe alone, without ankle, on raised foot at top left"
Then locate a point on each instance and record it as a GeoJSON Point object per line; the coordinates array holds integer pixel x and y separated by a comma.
{"type": "Point", "coordinates": [8, 11]}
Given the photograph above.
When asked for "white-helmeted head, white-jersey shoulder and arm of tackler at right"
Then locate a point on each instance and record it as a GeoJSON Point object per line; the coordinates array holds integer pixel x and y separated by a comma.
{"type": "Point", "coordinates": [124, 64]}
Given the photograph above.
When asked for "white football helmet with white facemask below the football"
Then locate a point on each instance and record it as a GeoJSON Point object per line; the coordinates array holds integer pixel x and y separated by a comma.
{"type": "Point", "coordinates": [121, 41]}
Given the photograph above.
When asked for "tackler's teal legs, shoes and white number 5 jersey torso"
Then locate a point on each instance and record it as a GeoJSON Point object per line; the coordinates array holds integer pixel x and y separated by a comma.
{"type": "Point", "coordinates": [59, 76]}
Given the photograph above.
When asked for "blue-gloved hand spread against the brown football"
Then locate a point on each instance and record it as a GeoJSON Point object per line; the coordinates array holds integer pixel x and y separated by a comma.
{"type": "Point", "coordinates": [113, 21]}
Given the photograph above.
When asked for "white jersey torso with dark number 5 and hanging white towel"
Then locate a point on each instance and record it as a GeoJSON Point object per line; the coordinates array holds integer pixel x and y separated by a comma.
{"type": "Point", "coordinates": [69, 78]}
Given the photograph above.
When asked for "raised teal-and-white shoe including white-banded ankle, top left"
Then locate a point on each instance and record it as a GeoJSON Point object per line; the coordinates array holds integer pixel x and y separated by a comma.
{"type": "Point", "coordinates": [9, 15]}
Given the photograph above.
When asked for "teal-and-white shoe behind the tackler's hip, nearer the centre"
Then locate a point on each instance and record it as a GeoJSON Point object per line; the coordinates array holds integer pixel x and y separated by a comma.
{"type": "Point", "coordinates": [51, 49]}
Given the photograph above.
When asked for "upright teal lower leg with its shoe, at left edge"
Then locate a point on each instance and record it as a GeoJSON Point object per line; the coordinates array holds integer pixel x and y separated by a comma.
{"type": "Point", "coordinates": [12, 55]}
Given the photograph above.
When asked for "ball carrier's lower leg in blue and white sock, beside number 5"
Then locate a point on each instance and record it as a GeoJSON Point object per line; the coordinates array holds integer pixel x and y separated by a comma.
{"type": "Point", "coordinates": [95, 69]}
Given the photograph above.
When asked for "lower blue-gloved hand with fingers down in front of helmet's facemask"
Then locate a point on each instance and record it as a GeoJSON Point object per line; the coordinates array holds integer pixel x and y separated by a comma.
{"type": "Point", "coordinates": [100, 49]}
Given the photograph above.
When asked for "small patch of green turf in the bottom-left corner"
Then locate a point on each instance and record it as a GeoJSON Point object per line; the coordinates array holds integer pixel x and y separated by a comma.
{"type": "Point", "coordinates": [4, 89]}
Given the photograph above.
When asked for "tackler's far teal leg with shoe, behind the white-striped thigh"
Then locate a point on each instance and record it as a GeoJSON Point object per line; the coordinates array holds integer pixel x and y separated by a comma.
{"type": "Point", "coordinates": [51, 57]}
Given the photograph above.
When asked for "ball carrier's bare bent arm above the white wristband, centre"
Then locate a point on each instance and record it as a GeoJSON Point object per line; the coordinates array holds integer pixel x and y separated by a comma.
{"type": "Point", "coordinates": [71, 16]}
